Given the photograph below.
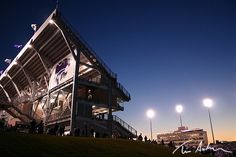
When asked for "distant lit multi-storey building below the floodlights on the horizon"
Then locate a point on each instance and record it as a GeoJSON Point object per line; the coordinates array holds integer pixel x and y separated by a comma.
{"type": "Point", "coordinates": [183, 135]}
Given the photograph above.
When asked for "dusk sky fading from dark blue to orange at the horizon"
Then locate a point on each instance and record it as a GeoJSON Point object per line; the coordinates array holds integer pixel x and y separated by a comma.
{"type": "Point", "coordinates": [165, 52]}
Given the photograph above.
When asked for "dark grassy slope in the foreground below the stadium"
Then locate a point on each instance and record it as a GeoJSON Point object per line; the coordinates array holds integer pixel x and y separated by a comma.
{"type": "Point", "coordinates": [25, 145]}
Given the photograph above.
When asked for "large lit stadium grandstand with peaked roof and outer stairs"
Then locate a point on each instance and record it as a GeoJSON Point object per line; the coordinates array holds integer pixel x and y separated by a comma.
{"type": "Point", "coordinates": [58, 78]}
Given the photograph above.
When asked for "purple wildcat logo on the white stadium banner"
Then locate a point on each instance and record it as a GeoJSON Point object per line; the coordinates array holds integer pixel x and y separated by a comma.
{"type": "Point", "coordinates": [62, 69]}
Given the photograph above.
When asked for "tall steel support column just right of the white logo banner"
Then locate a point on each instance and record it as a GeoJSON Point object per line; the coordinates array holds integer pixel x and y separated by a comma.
{"type": "Point", "coordinates": [75, 93]}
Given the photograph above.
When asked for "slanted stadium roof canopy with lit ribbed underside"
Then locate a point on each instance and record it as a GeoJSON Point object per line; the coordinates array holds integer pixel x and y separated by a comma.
{"type": "Point", "coordinates": [53, 41]}
